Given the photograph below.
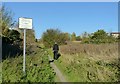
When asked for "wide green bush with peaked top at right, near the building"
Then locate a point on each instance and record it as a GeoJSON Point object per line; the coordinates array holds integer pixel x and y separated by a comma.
{"type": "Point", "coordinates": [98, 37]}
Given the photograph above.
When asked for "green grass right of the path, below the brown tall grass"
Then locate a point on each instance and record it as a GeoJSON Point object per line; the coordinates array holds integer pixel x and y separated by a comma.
{"type": "Point", "coordinates": [83, 69]}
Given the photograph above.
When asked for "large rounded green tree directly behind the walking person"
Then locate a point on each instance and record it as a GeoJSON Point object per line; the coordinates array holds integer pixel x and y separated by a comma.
{"type": "Point", "coordinates": [51, 36]}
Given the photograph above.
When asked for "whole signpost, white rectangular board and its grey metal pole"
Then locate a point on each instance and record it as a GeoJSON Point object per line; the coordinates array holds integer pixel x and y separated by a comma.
{"type": "Point", "coordinates": [25, 23]}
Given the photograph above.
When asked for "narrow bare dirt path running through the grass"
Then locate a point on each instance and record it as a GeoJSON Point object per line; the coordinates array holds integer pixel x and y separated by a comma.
{"type": "Point", "coordinates": [58, 72]}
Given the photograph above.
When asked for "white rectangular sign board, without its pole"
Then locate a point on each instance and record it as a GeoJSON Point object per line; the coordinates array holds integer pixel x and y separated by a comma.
{"type": "Point", "coordinates": [25, 23]}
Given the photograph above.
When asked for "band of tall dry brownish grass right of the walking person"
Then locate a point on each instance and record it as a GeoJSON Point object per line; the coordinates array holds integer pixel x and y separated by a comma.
{"type": "Point", "coordinates": [104, 52]}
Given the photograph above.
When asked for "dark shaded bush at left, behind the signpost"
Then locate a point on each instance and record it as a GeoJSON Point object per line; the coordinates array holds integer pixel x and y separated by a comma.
{"type": "Point", "coordinates": [11, 44]}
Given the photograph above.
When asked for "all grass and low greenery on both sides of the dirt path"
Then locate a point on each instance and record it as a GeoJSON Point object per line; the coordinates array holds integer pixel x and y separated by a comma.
{"type": "Point", "coordinates": [78, 63]}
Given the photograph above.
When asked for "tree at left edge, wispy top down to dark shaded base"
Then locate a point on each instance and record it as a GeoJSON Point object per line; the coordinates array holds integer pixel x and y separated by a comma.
{"type": "Point", "coordinates": [9, 36]}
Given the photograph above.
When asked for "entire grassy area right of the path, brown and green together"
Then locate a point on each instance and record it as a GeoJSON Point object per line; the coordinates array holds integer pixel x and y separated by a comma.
{"type": "Point", "coordinates": [89, 63]}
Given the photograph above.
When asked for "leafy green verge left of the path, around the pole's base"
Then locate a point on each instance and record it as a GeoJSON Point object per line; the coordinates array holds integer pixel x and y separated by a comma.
{"type": "Point", "coordinates": [37, 68]}
